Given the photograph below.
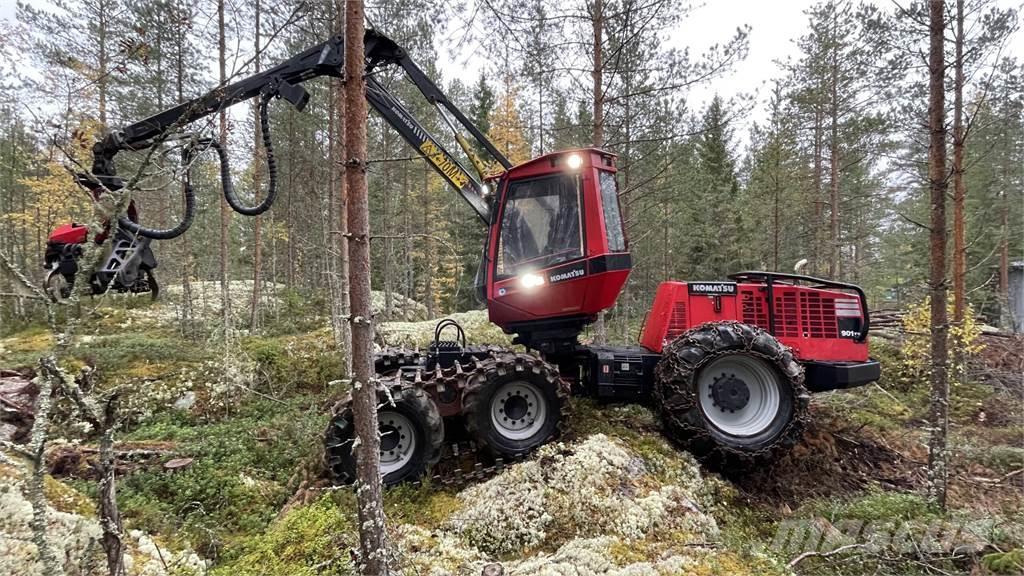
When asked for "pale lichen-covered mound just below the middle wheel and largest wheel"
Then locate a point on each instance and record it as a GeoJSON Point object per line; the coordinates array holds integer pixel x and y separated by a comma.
{"type": "Point", "coordinates": [593, 488]}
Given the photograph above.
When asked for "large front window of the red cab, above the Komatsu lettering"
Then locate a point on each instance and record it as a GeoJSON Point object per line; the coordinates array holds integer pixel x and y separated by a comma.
{"type": "Point", "coordinates": [540, 225]}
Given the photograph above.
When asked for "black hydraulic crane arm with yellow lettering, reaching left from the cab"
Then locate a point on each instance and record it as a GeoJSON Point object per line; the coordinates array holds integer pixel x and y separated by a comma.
{"type": "Point", "coordinates": [285, 81]}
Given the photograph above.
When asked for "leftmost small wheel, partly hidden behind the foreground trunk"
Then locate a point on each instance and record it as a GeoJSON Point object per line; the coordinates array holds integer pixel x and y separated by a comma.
{"type": "Point", "coordinates": [412, 433]}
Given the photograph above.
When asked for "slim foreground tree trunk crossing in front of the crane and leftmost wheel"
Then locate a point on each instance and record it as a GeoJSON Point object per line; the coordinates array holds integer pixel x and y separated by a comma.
{"type": "Point", "coordinates": [373, 558]}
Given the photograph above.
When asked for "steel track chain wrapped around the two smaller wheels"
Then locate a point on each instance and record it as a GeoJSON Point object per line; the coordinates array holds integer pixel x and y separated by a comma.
{"type": "Point", "coordinates": [464, 463]}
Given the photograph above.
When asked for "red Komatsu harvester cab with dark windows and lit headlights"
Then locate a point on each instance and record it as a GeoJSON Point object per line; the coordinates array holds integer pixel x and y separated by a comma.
{"type": "Point", "coordinates": [557, 250]}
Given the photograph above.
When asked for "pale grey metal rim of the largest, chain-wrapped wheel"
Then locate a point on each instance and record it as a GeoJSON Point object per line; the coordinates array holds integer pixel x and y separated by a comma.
{"type": "Point", "coordinates": [740, 395]}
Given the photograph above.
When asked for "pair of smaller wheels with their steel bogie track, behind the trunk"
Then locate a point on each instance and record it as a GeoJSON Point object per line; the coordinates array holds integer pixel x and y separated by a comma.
{"type": "Point", "coordinates": [462, 429]}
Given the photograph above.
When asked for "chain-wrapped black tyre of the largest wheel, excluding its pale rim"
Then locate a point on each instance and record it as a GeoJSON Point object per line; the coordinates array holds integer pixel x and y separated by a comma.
{"type": "Point", "coordinates": [676, 399]}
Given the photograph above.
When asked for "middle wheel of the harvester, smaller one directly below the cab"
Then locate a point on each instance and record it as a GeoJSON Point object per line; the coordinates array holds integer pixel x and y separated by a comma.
{"type": "Point", "coordinates": [515, 403]}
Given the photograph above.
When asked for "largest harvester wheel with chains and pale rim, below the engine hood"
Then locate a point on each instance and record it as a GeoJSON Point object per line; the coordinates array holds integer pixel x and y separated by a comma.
{"type": "Point", "coordinates": [731, 393]}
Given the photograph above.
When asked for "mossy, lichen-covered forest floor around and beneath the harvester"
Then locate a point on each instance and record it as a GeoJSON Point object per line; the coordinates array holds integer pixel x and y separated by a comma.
{"type": "Point", "coordinates": [243, 418]}
